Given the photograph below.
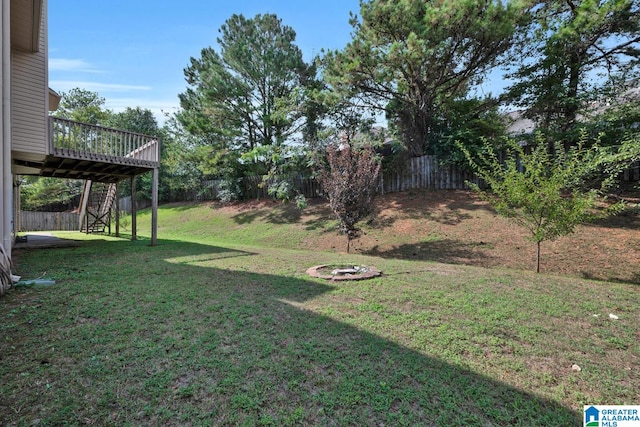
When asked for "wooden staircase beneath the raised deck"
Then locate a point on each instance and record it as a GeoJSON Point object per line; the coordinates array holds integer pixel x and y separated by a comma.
{"type": "Point", "coordinates": [95, 206]}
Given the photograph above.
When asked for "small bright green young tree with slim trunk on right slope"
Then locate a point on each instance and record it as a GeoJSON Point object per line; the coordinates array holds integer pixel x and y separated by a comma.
{"type": "Point", "coordinates": [539, 190]}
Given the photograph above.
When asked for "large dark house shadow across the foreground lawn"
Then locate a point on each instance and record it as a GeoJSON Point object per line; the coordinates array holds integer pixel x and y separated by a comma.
{"type": "Point", "coordinates": [183, 332]}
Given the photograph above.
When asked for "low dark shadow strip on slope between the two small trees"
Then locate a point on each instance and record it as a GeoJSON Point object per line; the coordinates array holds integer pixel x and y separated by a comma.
{"type": "Point", "coordinates": [446, 251]}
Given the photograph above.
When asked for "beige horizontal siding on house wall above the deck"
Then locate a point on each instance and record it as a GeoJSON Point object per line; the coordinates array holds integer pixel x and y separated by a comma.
{"type": "Point", "coordinates": [29, 97]}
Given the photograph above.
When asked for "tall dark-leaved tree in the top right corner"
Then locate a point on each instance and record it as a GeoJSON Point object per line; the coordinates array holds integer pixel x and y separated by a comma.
{"type": "Point", "coordinates": [583, 51]}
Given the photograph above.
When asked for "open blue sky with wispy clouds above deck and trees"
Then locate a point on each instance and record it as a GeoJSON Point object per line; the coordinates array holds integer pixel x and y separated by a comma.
{"type": "Point", "coordinates": [133, 52]}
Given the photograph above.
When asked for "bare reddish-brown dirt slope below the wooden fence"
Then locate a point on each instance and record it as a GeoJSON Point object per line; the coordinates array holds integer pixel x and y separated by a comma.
{"type": "Point", "coordinates": [458, 227]}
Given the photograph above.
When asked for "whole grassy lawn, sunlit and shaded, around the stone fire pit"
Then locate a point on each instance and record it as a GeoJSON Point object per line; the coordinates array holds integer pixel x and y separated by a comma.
{"type": "Point", "coordinates": [220, 325]}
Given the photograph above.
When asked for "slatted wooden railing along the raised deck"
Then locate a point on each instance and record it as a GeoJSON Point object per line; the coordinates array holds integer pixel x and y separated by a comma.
{"type": "Point", "coordinates": [97, 143]}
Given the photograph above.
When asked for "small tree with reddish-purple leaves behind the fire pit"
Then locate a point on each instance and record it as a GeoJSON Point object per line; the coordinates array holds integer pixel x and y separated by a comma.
{"type": "Point", "coordinates": [349, 180]}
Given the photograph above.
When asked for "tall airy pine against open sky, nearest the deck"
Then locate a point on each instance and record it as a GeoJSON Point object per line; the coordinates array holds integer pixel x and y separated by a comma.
{"type": "Point", "coordinates": [234, 95]}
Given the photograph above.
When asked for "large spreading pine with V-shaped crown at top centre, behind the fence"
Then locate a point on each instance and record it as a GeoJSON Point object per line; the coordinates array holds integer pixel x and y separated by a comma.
{"type": "Point", "coordinates": [412, 58]}
